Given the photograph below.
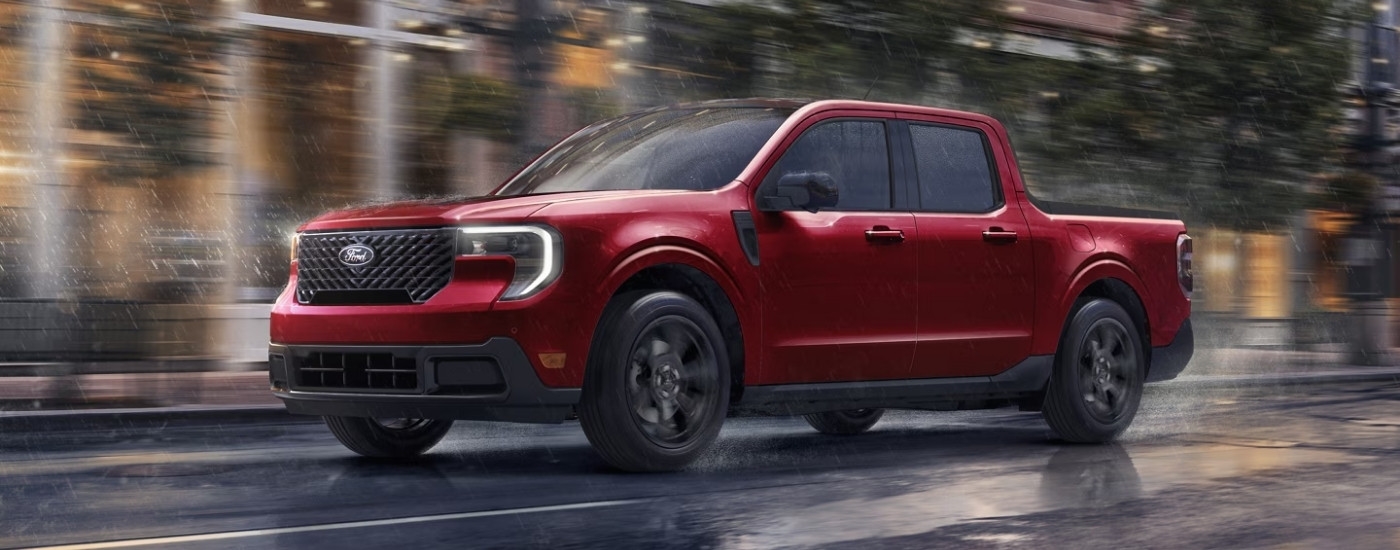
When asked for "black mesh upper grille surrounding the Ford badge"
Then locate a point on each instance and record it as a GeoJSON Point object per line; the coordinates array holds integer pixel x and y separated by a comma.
{"type": "Point", "coordinates": [408, 267]}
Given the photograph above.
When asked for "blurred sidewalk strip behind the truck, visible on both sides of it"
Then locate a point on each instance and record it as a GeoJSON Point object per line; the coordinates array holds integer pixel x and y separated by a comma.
{"type": "Point", "coordinates": [226, 393]}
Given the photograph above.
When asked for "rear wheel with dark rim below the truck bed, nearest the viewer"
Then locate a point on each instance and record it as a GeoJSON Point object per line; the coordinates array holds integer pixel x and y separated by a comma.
{"type": "Point", "coordinates": [1097, 384]}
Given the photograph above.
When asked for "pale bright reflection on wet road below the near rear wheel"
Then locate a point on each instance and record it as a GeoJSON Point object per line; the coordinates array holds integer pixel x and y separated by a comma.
{"type": "Point", "coordinates": [1076, 477]}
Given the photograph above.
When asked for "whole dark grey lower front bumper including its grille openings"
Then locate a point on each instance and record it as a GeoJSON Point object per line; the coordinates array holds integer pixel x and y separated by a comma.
{"type": "Point", "coordinates": [491, 381]}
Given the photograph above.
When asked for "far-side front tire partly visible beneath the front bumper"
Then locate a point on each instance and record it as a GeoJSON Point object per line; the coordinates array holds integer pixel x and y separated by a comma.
{"type": "Point", "coordinates": [393, 440]}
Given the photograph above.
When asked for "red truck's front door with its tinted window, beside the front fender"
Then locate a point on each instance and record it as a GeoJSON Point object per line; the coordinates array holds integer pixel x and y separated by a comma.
{"type": "Point", "coordinates": [839, 285]}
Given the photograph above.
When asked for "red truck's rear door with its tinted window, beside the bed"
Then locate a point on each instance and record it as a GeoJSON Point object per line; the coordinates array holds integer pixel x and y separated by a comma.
{"type": "Point", "coordinates": [976, 292]}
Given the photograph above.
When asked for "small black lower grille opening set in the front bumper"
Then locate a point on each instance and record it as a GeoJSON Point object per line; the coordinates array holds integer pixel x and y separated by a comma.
{"type": "Point", "coordinates": [338, 372]}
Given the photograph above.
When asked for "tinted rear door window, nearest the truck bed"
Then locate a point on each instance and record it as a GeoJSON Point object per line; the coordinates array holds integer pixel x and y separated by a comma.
{"type": "Point", "coordinates": [954, 170]}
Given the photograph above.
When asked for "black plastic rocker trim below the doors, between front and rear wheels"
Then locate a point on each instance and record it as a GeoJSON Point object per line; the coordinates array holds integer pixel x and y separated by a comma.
{"type": "Point", "coordinates": [1018, 381]}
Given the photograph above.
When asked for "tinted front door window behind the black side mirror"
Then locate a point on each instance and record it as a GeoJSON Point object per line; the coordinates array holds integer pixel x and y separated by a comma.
{"type": "Point", "coordinates": [853, 153]}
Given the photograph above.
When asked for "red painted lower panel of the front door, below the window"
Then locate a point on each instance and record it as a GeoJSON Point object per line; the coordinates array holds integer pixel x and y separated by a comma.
{"type": "Point", "coordinates": [836, 307]}
